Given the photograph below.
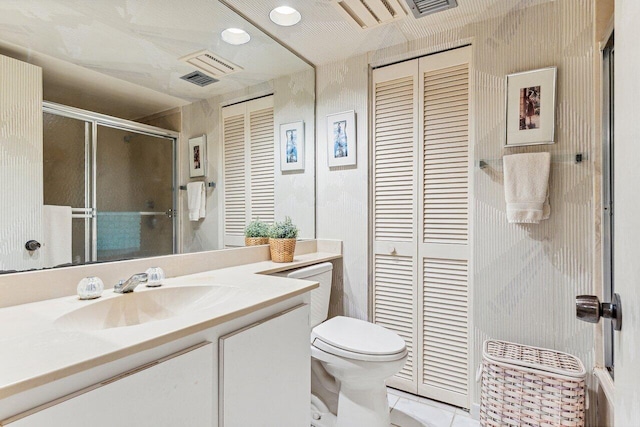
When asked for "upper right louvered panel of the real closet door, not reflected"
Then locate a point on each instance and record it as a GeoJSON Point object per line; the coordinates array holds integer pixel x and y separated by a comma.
{"type": "Point", "coordinates": [446, 155]}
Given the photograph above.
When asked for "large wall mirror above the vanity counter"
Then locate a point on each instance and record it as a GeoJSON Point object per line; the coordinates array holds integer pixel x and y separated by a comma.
{"type": "Point", "coordinates": [134, 60]}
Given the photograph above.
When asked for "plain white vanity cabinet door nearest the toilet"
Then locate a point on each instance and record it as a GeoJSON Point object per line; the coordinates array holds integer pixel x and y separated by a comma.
{"type": "Point", "coordinates": [265, 373]}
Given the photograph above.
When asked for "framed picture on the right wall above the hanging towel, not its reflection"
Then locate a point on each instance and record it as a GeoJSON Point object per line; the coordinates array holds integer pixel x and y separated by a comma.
{"type": "Point", "coordinates": [531, 106]}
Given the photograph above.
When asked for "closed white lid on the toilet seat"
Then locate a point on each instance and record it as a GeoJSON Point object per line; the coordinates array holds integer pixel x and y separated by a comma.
{"type": "Point", "coordinates": [358, 336]}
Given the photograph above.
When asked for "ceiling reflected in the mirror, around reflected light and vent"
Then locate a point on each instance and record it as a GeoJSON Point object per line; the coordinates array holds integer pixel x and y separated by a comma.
{"type": "Point", "coordinates": [139, 42]}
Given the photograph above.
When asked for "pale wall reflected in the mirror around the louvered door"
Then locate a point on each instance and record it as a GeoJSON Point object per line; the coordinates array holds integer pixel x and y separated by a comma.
{"type": "Point", "coordinates": [295, 191]}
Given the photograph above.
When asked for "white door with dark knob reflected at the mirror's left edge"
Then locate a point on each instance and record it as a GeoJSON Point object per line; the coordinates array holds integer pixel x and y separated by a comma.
{"type": "Point", "coordinates": [20, 164]}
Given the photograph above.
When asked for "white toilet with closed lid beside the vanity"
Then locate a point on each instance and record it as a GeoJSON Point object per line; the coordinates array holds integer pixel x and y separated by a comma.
{"type": "Point", "coordinates": [351, 359]}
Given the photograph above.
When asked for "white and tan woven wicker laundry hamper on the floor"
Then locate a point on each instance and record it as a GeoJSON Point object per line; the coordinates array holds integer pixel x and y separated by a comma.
{"type": "Point", "coordinates": [530, 386]}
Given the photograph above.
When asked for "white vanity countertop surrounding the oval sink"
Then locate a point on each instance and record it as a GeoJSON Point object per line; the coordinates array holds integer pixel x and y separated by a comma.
{"type": "Point", "coordinates": [36, 351]}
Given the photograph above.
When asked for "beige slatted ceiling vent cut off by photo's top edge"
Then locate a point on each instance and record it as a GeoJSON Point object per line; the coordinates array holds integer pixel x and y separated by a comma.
{"type": "Point", "coordinates": [371, 13]}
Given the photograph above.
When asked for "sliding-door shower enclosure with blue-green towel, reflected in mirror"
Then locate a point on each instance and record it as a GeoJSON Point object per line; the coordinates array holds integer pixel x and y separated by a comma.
{"type": "Point", "coordinates": [117, 176]}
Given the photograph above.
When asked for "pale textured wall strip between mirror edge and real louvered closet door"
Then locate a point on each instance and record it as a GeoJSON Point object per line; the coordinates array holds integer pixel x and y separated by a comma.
{"type": "Point", "coordinates": [342, 192]}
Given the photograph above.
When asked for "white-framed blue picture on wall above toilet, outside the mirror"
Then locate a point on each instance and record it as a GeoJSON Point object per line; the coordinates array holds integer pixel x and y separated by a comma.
{"type": "Point", "coordinates": [341, 139]}
